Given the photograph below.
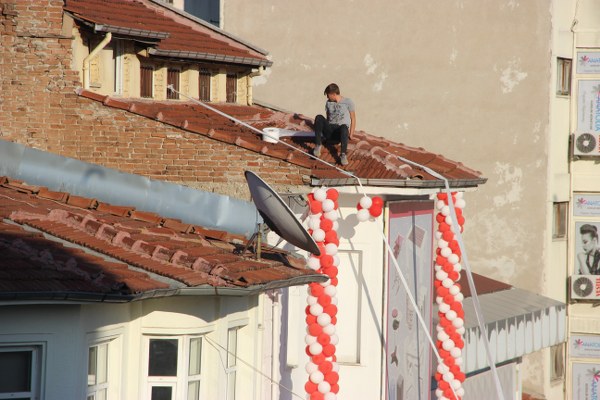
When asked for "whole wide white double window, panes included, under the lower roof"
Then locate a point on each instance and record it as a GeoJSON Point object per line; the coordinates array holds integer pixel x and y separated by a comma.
{"type": "Point", "coordinates": [174, 367]}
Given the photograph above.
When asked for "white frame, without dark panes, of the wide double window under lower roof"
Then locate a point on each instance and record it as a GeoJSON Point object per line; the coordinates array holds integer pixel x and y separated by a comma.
{"type": "Point", "coordinates": [181, 380]}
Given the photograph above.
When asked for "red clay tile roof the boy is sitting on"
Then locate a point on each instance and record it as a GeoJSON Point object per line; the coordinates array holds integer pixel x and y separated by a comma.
{"type": "Point", "coordinates": [368, 155]}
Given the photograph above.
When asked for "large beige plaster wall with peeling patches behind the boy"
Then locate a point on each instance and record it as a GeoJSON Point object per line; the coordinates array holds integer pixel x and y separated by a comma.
{"type": "Point", "coordinates": [473, 80]}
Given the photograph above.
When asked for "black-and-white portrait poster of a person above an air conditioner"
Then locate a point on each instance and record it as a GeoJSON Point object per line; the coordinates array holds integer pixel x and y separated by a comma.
{"type": "Point", "coordinates": [587, 250]}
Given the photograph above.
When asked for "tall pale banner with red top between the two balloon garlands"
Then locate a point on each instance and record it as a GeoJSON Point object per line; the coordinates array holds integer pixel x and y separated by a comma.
{"type": "Point", "coordinates": [408, 363]}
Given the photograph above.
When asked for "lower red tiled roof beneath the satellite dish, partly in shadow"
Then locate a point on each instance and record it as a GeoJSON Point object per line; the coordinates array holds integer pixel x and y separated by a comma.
{"type": "Point", "coordinates": [57, 245]}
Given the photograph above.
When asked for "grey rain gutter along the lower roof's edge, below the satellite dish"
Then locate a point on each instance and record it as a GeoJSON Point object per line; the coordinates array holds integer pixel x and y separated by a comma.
{"type": "Point", "coordinates": [14, 298]}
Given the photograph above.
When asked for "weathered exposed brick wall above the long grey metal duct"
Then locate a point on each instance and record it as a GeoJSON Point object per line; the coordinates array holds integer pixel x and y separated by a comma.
{"type": "Point", "coordinates": [39, 108]}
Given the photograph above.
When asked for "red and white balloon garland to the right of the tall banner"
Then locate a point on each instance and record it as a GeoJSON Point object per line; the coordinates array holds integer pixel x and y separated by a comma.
{"type": "Point", "coordinates": [450, 328]}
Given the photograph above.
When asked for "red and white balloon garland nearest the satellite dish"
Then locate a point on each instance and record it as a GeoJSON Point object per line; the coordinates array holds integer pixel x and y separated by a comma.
{"type": "Point", "coordinates": [321, 311]}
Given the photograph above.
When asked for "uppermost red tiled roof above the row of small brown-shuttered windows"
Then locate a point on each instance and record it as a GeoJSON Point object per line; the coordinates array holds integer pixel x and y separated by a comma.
{"type": "Point", "coordinates": [184, 38]}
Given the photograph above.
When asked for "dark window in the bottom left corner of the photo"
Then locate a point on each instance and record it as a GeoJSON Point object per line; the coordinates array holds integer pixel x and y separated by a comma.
{"type": "Point", "coordinates": [20, 372]}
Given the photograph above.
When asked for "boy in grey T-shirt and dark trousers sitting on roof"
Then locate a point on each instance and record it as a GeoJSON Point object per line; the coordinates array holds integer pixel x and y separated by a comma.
{"type": "Point", "coordinates": [340, 122]}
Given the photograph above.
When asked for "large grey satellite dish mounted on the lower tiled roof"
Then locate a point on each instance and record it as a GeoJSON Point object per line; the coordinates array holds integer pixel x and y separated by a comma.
{"type": "Point", "coordinates": [278, 216]}
